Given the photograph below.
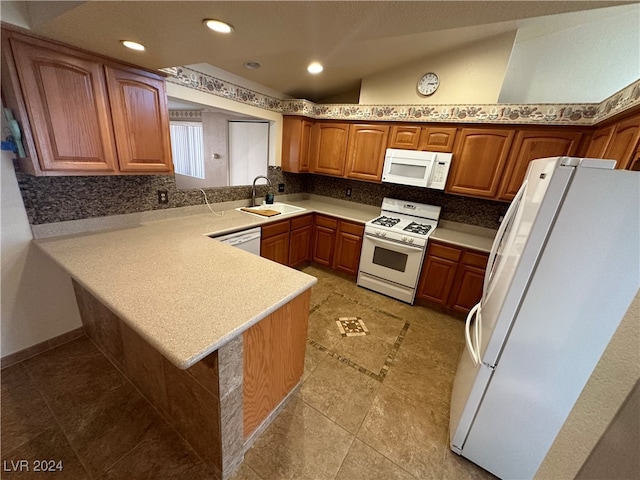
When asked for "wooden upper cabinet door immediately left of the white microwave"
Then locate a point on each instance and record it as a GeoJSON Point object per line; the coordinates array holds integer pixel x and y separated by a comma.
{"type": "Point", "coordinates": [366, 150]}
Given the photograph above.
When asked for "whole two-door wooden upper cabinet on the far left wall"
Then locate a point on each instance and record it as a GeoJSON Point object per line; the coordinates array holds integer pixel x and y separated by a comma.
{"type": "Point", "coordinates": [83, 114]}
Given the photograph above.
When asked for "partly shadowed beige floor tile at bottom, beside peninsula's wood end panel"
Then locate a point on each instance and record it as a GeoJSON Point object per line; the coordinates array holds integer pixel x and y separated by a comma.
{"type": "Point", "coordinates": [300, 444]}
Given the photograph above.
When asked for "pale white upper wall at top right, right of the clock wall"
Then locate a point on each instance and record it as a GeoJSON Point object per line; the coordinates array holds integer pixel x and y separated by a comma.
{"type": "Point", "coordinates": [575, 64]}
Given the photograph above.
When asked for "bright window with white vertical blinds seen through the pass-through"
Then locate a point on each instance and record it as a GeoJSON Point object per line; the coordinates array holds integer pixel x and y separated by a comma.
{"type": "Point", "coordinates": [187, 147]}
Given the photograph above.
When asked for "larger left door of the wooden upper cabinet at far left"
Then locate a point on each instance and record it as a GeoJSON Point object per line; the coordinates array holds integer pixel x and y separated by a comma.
{"type": "Point", "coordinates": [67, 106]}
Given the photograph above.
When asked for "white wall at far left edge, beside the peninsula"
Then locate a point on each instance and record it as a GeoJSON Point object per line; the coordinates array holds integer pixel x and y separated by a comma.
{"type": "Point", "coordinates": [37, 300]}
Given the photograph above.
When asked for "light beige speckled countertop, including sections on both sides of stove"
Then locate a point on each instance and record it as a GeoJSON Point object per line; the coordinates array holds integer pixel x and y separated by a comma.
{"type": "Point", "coordinates": [183, 292]}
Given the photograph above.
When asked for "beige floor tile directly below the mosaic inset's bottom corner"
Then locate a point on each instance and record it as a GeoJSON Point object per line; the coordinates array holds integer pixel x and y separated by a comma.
{"type": "Point", "coordinates": [340, 392]}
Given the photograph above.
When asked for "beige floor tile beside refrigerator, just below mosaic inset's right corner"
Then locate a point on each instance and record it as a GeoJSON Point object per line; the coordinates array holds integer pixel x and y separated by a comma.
{"type": "Point", "coordinates": [426, 383]}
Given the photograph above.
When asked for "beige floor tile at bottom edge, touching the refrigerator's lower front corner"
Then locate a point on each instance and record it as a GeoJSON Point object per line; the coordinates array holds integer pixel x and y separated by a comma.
{"type": "Point", "coordinates": [407, 432]}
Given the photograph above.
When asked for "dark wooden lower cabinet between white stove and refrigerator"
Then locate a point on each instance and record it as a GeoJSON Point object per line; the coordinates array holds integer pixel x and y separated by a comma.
{"type": "Point", "coordinates": [451, 277]}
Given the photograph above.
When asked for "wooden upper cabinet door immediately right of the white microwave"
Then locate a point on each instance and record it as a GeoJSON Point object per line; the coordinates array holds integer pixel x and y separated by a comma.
{"type": "Point", "coordinates": [478, 162]}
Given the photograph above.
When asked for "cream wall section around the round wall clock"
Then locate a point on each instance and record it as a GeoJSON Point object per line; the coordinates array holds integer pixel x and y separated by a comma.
{"type": "Point", "coordinates": [472, 74]}
